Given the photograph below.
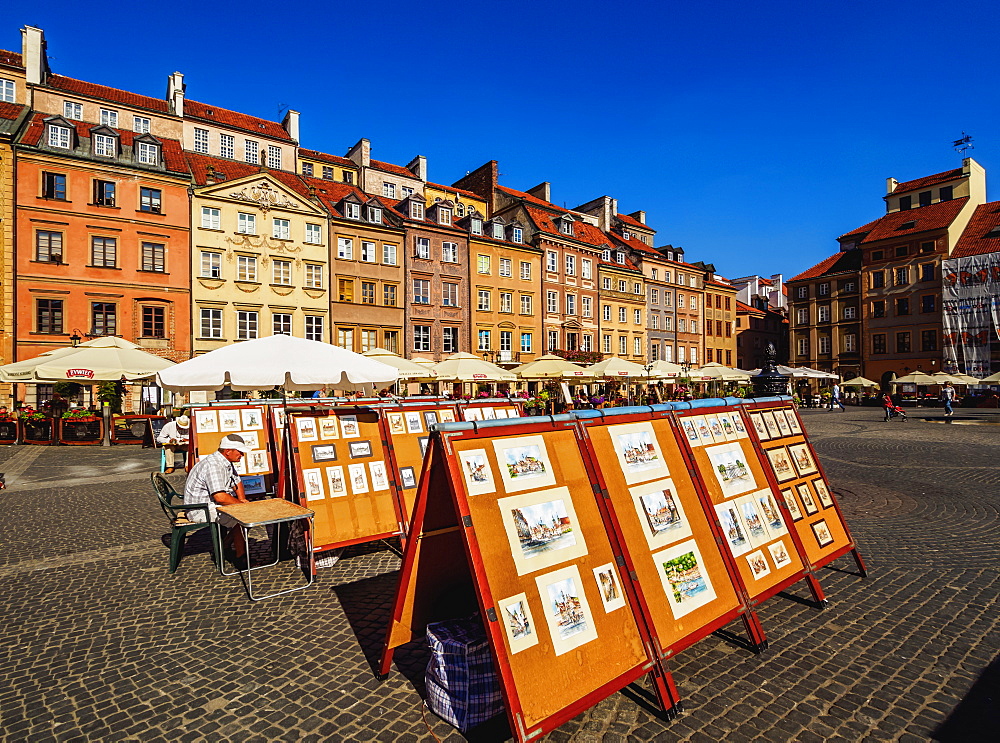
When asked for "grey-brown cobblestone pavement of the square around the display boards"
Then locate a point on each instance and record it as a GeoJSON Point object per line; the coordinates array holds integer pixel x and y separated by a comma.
{"type": "Point", "coordinates": [100, 643]}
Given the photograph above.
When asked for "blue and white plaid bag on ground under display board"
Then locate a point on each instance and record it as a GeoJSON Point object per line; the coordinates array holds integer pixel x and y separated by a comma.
{"type": "Point", "coordinates": [462, 684]}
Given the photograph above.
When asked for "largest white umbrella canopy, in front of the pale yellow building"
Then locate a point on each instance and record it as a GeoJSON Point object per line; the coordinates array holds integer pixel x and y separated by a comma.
{"type": "Point", "coordinates": [277, 361]}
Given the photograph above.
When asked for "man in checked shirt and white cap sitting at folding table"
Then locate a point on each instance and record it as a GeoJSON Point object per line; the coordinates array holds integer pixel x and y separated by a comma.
{"type": "Point", "coordinates": [214, 481]}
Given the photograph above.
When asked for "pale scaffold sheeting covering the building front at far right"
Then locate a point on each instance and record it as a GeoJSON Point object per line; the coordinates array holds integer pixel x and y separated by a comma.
{"type": "Point", "coordinates": [971, 312]}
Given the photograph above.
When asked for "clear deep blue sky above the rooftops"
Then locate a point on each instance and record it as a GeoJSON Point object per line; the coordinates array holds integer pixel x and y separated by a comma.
{"type": "Point", "coordinates": [752, 134]}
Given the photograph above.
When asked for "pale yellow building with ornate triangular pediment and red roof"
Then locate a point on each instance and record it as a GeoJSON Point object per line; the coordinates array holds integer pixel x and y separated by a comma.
{"type": "Point", "coordinates": [260, 255]}
